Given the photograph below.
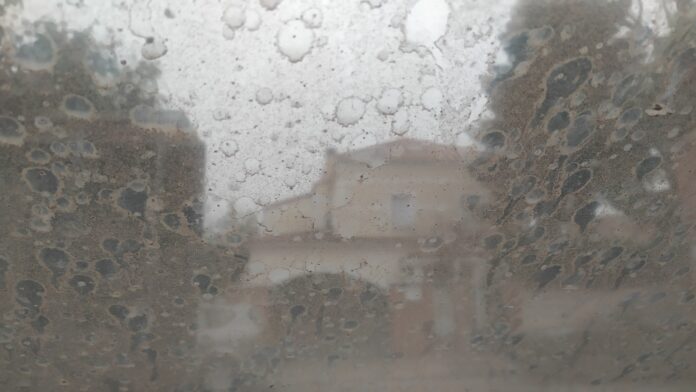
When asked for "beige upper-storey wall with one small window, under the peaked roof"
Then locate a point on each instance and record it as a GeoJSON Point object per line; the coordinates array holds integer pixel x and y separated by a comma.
{"type": "Point", "coordinates": [368, 202]}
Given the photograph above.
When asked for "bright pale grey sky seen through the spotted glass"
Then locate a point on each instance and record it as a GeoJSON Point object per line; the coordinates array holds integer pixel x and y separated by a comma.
{"type": "Point", "coordinates": [270, 90]}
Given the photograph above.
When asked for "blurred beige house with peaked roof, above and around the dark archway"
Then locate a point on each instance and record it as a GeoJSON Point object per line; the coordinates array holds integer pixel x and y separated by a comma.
{"type": "Point", "coordinates": [387, 215]}
